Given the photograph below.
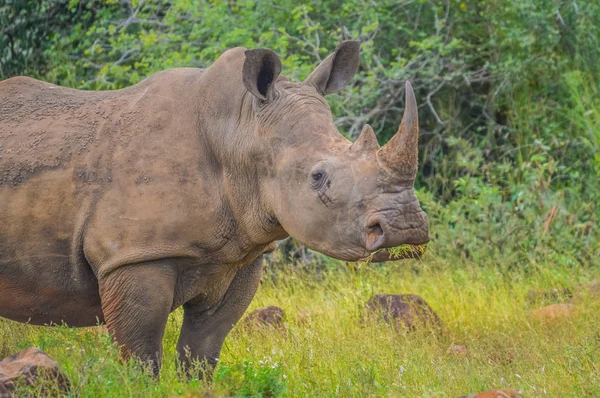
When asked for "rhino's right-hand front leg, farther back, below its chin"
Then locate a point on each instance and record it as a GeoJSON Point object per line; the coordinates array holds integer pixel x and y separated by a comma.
{"type": "Point", "coordinates": [204, 329]}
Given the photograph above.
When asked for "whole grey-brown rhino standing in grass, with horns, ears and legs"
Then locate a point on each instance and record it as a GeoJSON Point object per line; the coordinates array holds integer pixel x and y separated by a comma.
{"type": "Point", "coordinates": [121, 206]}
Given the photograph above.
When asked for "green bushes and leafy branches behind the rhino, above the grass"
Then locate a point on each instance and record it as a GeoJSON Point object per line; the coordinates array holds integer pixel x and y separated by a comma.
{"type": "Point", "coordinates": [509, 92]}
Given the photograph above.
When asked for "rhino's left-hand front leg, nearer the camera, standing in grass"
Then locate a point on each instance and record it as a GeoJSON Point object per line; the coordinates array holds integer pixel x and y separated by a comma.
{"type": "Point", "coordinates": [136, 302]}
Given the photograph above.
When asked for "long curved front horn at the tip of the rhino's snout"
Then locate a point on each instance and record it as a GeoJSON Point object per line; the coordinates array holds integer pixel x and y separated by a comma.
{"type": "Point", "coordinates": [400, 154]}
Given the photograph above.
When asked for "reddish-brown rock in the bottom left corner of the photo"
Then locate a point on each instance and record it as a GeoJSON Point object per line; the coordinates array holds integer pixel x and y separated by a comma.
{"type": "Point", "coordinates": [30, 367]}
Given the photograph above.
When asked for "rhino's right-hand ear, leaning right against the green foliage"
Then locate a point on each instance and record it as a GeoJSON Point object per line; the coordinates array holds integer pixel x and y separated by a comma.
{"type": "Point", "coordinates": [337, 70]}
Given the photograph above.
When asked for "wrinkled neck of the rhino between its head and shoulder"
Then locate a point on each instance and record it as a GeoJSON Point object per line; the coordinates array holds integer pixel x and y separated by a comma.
{"type": "Point", "coordinates": [238, 156]}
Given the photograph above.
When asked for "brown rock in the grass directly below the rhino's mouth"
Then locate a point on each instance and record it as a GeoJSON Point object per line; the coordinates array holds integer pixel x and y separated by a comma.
{"type": "Point", "coordinates": [404, 310]}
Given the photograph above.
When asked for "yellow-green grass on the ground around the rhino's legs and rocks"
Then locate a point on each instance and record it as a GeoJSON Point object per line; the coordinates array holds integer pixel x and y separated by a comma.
{"type": "Point", "coordinates": [331, 352]}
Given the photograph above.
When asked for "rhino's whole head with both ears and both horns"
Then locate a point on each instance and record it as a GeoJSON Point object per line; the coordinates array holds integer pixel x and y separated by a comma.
{"type": "Point", "coordinates": [343, 199]}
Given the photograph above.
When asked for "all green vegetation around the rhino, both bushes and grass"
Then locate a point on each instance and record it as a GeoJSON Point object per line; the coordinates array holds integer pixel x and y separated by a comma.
{"type": "Point", "coordinates": [509, 94]}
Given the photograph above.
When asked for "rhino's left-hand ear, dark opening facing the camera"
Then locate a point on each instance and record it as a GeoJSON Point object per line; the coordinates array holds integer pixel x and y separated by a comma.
{"type": "Point", "coordinates": [261, 69]}
